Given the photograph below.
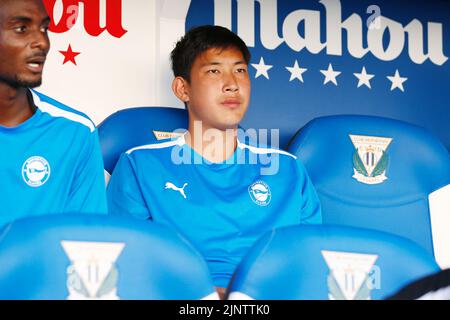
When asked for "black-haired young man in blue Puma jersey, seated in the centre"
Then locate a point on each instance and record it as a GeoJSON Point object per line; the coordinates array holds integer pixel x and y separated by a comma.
{"type": "Point", "coordinates": [208, 184]}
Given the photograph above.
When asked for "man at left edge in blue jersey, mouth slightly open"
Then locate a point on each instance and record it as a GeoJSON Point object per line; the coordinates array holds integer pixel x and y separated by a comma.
{"type": "Point", "coordinates": [50, 156]}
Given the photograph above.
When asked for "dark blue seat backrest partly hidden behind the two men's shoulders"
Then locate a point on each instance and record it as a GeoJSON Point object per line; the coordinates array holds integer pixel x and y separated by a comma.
{"type": "Point", "coordinates": [134, 127]}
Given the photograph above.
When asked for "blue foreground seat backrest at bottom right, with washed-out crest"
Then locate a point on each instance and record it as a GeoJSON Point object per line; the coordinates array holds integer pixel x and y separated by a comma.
{"type": "Point", "coordinates": [328, 262]}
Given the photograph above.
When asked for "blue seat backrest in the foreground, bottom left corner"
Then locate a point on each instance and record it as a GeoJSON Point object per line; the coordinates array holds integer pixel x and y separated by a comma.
{"type": "Point", "coordinates": [99, 257]}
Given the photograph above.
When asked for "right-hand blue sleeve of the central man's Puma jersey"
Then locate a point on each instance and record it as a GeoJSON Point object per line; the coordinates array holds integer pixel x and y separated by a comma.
{"type": "Point", "coordinates": [311, 211]}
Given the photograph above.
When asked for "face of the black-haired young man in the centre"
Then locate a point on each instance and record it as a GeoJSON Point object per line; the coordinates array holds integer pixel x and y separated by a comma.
{"type": "Point", "coordinates": [219, 89]}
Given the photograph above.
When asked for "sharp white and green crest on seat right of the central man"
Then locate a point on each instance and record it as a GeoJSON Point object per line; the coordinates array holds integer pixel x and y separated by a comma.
{"type": "Point", "coordinates": [370, 158]}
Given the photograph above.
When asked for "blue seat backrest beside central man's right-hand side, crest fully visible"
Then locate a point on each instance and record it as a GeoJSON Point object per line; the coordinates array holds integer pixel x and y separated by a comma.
{"type": "Point", "coordinates": [381, 174]}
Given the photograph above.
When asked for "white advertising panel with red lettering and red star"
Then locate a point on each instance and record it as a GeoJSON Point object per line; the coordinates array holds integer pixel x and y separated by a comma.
{"type": "Point", "coordinates": [105, 54]}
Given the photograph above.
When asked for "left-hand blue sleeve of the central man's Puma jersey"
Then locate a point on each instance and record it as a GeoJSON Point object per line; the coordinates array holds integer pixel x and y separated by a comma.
{"type": "Point", "coordinates": [124, 193]}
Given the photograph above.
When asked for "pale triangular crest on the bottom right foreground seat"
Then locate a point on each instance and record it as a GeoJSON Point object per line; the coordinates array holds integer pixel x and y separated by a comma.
{"type": "Point", "coordinates": [349, 275]}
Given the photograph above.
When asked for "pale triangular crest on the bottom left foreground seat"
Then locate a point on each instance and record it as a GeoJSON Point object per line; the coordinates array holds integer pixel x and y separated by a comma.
{"type": "Point", "coordinates": [92, 274]}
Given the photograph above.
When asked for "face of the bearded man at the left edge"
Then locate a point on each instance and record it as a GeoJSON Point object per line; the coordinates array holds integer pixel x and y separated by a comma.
{"type": "Point", "coordinates": [24, 42]}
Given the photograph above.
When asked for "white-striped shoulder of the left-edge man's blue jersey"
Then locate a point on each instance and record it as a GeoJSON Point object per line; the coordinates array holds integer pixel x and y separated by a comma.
{"type": "Point", "coordinates": [58, 110]}
